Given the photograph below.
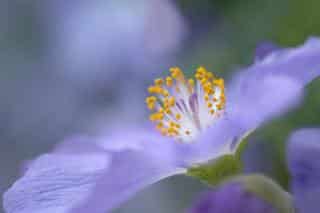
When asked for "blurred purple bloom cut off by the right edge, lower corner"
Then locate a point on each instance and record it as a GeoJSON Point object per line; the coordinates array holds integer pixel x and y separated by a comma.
{"type": "Point", "coordinates": [303, 159]}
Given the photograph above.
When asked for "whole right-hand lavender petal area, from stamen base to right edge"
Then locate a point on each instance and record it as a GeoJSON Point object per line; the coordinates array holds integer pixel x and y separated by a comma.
{"type": "Point", "coordinates": [268, 88]}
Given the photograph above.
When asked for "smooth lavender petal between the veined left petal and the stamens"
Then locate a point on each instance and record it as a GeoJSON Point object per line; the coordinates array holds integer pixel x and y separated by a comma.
{"type": "Point", "coordinates": [139, 158]}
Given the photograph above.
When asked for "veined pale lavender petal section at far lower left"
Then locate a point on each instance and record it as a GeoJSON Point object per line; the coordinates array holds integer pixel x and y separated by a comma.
{"type": "Point", "coordinates": [55, 183]}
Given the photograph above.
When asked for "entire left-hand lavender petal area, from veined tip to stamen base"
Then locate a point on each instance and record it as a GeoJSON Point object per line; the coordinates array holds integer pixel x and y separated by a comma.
{"type": "Point", "coordinates": [96, 180]}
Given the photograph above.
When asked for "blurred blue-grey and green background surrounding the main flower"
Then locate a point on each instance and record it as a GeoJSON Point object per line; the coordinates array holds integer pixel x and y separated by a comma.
{"type": "Point", "coordinates": [69, 67]}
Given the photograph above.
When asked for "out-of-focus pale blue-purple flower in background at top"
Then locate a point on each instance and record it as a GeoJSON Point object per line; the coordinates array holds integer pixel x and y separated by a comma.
{"type": "Point", "coordinates": [93, 41]}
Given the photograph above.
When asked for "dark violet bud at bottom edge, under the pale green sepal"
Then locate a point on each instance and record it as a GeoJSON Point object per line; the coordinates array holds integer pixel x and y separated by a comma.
{"type": "Point", "coordinates": [231, 198]}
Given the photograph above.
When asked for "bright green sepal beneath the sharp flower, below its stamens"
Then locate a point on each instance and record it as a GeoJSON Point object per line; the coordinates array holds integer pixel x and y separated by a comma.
{"type": "Point", "coordinates": [220, 169]}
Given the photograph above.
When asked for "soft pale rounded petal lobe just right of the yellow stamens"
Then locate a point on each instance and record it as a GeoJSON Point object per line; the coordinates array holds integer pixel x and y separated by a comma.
{"type": "Point", "coordinates": [258, 100]}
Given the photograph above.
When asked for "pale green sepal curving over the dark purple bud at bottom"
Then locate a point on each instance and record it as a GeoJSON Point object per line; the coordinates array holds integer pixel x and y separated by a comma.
{"type": "Point", "coordinates": [267, 190]}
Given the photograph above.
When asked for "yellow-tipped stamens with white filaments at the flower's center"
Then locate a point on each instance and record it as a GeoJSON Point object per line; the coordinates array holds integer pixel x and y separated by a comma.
{"type": "Point", "coordinates": [182, 108]}
